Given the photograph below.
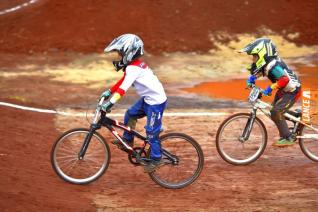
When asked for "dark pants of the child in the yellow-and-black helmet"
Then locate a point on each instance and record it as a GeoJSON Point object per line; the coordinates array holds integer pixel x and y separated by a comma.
{"type": "Point", "coordinates": [282, 102]}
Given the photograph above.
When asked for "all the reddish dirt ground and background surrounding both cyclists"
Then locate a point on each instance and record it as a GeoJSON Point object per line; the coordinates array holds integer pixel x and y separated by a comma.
{"type": "Point", "coordinates": [51, 57]}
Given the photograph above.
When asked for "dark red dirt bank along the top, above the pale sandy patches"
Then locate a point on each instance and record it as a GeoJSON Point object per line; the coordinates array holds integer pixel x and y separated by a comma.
{"type": "Point", "coordinates": [165, 26]}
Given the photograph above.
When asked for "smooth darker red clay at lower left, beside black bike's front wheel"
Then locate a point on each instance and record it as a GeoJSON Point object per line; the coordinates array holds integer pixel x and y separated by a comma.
{"type": "Point", "coordinates": [27, 181]}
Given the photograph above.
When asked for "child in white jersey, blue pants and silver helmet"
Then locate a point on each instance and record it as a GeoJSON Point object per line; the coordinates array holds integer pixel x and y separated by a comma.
{"type": "Point", "coordinates": [153, 98]}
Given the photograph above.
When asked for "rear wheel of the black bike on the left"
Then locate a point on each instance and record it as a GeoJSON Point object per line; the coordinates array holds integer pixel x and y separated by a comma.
{"type": "Point", "coordinates": [188, 164]}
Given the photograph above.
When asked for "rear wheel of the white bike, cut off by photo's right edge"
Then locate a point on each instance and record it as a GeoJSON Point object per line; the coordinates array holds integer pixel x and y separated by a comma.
{"type": "Point", "coordinates": [309, 143]}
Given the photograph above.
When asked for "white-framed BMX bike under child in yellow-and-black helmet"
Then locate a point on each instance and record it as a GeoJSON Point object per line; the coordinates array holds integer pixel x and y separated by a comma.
{"type": "Point", "coordinates": [242, 138]}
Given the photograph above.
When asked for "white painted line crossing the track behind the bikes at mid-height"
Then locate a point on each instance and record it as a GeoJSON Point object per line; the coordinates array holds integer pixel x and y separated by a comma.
{"type": "Point", "coordinates": [167, 114]}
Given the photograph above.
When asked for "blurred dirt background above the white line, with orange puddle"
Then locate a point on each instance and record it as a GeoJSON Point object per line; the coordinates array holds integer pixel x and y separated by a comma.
{"type": "Point", "coordinates": [54, 48]}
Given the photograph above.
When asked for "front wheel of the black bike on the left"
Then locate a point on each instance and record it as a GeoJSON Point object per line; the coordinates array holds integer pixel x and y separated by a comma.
{"type": "Point", "coordinates": [67, 164]}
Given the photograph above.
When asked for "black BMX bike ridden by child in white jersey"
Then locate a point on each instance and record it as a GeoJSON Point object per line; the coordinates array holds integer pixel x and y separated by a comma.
{"type": "Point", "coordinates": [81, 155]}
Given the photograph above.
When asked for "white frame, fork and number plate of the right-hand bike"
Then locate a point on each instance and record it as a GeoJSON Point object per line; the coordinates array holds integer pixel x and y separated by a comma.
{"type": "Point", "coordinates": [255, 99]}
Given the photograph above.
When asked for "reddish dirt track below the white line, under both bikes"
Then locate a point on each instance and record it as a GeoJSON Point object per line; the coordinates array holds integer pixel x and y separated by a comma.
{"type": "Point", "coordinates": [281, 180]}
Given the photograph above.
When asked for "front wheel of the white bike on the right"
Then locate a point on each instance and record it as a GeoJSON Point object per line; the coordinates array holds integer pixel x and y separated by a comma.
{"type": "Point", "coordinates": [230, 145]}
